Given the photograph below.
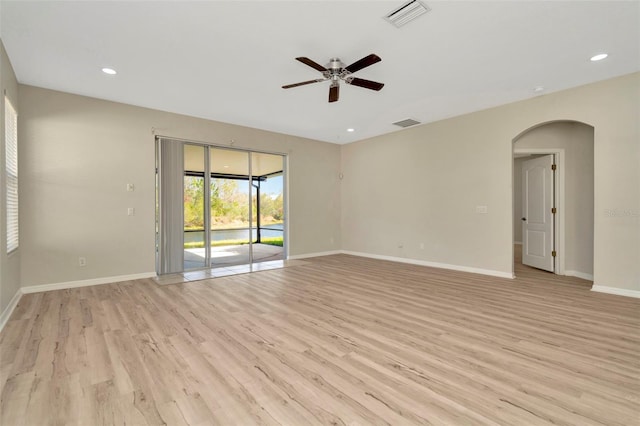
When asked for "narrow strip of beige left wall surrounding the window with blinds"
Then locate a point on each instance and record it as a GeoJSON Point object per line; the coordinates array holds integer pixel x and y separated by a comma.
{"type": "Point", "coordinates": [9, 265]}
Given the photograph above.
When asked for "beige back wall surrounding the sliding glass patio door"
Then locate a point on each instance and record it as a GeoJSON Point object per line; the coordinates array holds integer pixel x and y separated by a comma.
{"type": "Point", "coordinates": [78, 155]}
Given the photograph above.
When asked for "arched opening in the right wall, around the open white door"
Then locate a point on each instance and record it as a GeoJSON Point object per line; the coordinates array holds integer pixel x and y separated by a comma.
{"type": "Point", "coordinates": [570, 145]}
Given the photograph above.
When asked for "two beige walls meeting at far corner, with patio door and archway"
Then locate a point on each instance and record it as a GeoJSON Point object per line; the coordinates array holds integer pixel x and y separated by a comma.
{"type": "Point", "coordinates": [420, 185]}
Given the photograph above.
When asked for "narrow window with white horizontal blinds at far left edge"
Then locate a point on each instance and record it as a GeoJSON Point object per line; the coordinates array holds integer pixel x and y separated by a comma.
{"type": "Point", "coordinates": [11, 158]}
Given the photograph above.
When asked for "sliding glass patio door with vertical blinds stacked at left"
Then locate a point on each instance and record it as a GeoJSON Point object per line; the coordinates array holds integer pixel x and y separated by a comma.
{"type": "Point", "coordinates": [218, 207]}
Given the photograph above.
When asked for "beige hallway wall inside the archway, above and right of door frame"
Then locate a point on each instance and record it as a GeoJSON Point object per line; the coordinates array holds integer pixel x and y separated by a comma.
{"type": "Point", "coordinates": [576, 139]}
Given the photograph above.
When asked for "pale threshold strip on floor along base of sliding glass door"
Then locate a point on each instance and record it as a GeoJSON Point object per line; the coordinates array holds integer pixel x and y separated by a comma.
{"type": "Point", "coordinates": [227, 271]}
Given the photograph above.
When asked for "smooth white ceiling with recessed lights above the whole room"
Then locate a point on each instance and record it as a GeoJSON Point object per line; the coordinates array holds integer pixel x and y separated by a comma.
{"type": "Point", "coordinates": [227, 60]}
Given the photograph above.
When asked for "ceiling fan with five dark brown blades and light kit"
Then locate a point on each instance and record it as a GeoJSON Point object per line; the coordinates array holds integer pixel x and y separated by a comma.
{"type": "Point", "coordinates": [336, 71]}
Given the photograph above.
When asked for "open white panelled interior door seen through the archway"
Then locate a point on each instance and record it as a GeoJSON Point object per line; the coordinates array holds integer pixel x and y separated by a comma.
{"type": "Point", "coordinates": [537, 220]}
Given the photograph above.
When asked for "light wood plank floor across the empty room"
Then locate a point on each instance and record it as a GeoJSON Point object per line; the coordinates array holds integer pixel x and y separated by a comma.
{"type": "Point", "coordinates": [338, 340]}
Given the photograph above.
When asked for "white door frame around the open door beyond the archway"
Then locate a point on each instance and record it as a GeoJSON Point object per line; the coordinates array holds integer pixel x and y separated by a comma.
{"type": "Point", "coordinates": [558, 191]}
